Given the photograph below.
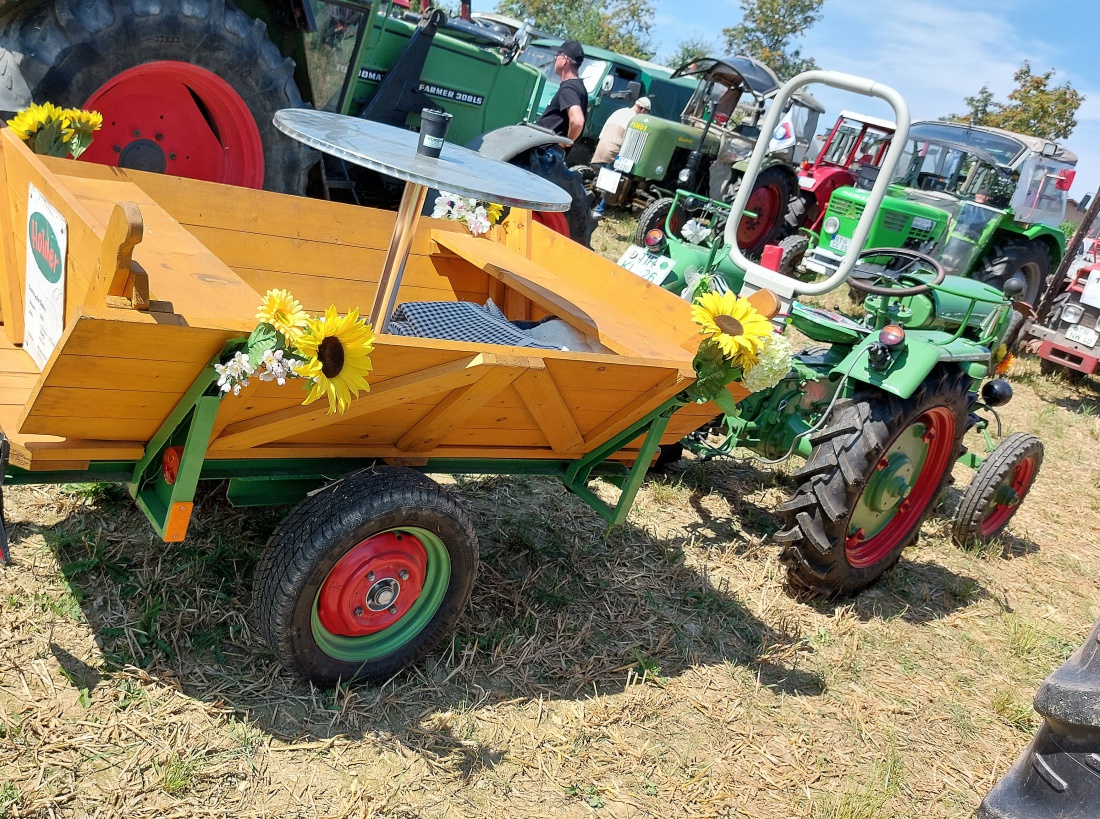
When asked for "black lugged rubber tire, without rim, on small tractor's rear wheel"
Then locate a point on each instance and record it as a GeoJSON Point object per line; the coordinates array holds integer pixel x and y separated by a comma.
{"type": "Point", "coordinates": [845, 455]}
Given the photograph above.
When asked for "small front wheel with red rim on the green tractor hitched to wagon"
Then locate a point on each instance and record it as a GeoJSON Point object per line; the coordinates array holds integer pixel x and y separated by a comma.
{"type": "Point", "coordinates": [998, 490]}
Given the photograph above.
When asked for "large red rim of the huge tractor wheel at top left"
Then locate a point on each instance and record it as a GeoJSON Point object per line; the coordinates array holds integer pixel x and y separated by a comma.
{"type": "Point", "coordinates": [179, 119]}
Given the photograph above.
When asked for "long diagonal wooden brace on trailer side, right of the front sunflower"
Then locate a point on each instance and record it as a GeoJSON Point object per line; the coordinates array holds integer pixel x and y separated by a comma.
{"type": "Point", "coordinates": [280, 426]}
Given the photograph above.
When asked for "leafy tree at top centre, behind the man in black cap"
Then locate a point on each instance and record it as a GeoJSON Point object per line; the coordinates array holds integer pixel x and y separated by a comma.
{"type": "Point", "coordinates": [620, 26]}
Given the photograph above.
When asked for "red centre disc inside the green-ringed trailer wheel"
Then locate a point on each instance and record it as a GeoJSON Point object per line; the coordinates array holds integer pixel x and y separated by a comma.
{"type": "Point", "coordinates": [373, 585]}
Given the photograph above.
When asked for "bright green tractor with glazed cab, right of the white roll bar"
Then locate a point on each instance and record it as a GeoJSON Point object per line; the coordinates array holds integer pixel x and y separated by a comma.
{"type": "Point", "coordinates": [985, 203]}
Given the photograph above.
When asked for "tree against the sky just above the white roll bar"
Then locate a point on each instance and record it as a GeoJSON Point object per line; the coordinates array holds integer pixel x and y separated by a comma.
{"type": "Point", "coordinates": [767, 30]}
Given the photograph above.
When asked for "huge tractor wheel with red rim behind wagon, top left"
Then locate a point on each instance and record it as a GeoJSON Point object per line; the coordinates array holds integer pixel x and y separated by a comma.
{"type": "Point", "coordinates": [185, 88]}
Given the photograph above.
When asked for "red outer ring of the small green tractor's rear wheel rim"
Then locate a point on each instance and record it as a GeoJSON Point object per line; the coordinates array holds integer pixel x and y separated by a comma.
{"type": "Point", "coordinates": [939, 435]}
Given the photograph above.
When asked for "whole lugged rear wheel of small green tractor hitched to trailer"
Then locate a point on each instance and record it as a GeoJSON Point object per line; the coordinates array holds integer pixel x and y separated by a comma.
{"type": "Point", "coordinates": [873, 478]}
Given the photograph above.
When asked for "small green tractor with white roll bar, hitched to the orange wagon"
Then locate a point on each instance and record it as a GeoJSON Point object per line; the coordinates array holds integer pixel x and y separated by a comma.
{"type": "Point", "coordinates": [879, 404]}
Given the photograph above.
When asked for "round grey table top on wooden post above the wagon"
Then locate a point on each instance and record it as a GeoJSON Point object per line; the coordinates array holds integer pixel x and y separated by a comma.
{"type": "Point", "coordinates": [392, 151]}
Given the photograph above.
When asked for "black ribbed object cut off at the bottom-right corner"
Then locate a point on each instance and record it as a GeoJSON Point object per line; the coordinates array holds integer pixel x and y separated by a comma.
{"type": "Point", "coordinates": [1059, 776]}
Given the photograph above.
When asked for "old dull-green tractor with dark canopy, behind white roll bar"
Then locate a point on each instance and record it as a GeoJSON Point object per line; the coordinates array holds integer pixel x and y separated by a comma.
{"type": "Point", "coordinates": [705, 150]}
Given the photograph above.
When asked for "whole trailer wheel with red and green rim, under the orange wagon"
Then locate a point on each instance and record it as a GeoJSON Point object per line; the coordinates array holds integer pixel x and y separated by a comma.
{"type": "Point", "coordinates": [366, 578]}
